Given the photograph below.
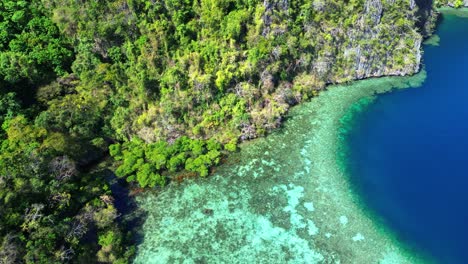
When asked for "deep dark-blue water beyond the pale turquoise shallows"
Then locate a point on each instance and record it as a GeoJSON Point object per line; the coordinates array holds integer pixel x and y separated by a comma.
{"type": "Point", "coordinates": [409, 152]}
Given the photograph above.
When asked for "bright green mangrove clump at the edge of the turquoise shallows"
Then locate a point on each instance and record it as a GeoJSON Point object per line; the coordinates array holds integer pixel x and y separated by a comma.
{"type": "Point", "coordinates": [145, 163]}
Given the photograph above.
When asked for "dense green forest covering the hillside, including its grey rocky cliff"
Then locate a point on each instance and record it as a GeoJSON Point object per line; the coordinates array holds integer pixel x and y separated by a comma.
{"type": "Point", "coordinates": [161, 90]}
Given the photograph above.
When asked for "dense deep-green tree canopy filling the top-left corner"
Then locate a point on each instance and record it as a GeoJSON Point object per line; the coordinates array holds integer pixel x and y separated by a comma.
{"type": "Point", "coordinates": [31, 47]}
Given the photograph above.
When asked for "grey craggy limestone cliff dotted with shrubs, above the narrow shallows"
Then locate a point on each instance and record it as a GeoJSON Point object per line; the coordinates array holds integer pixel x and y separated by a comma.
{"type": "Point", "coordinates": [374, 46]}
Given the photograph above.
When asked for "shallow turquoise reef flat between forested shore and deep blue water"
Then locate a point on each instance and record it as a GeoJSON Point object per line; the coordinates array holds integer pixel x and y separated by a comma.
{"type": "Point", "coordinates": [285, 198]}
